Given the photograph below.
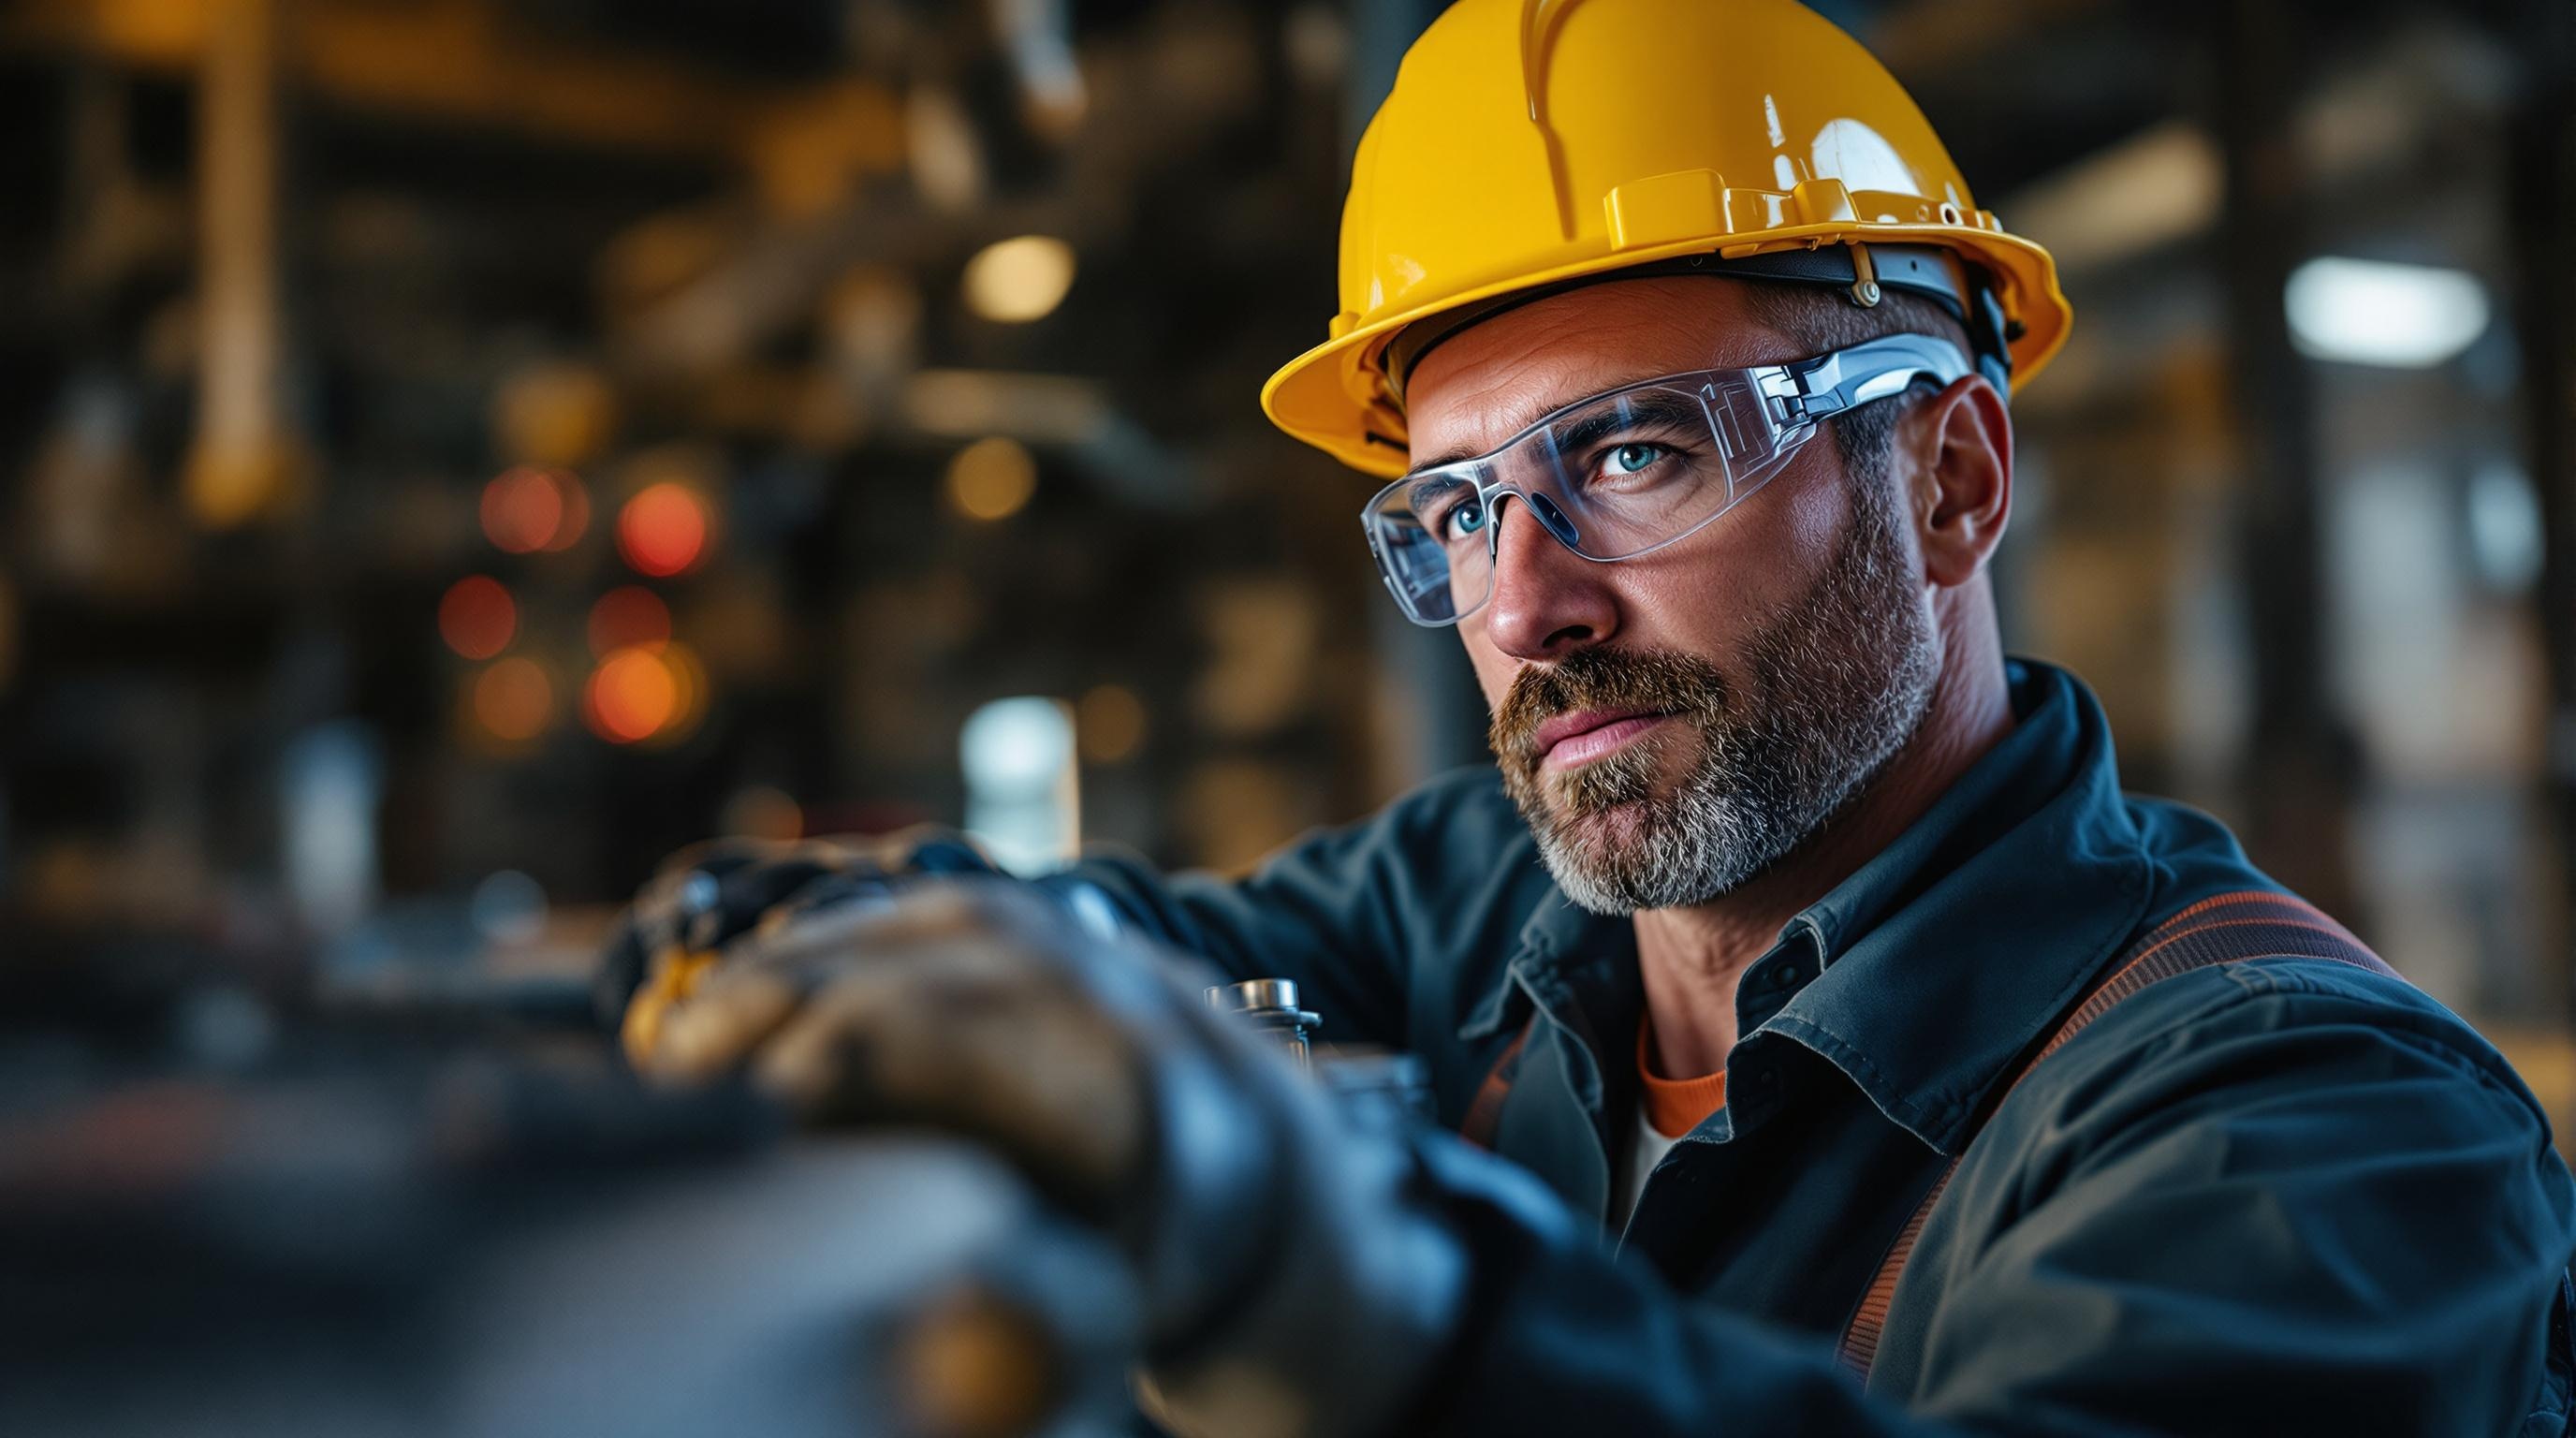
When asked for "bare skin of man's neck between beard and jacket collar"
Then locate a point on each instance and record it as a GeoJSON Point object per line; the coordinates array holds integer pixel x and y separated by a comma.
{"type": "Point", "coordinates": [1694, 957]}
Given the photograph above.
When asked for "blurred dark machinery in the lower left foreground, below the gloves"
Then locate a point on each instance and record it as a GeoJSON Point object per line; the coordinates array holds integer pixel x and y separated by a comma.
{"type": "Point", "coordinates": [470, 1223]}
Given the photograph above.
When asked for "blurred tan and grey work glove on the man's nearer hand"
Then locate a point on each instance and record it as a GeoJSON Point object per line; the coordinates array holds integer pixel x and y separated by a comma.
{"type": "Point", "coordinates": [1292, 1282]}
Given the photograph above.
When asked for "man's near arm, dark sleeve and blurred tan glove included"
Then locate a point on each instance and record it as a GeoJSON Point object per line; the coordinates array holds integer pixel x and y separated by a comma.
{"type": "Point", "coordinates": [2255, 1200]}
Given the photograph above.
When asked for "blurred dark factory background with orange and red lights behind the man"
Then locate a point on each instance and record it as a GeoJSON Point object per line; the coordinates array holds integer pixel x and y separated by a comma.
{"type": "Point", "coordinates": [460, 450]}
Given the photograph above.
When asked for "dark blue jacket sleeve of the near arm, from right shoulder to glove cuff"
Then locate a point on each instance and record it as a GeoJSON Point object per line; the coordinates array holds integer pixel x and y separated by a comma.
{"type": "Point", "coordinates": [2294, 1210]}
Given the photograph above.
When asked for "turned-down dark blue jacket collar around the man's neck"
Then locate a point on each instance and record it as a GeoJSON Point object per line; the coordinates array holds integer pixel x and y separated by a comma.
{"type": "Point", "coordinates": [1956, 947]}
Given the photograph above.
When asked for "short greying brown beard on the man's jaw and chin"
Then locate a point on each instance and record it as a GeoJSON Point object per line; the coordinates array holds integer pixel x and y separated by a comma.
{"type": "Point", "coordinates": [1835, 689]}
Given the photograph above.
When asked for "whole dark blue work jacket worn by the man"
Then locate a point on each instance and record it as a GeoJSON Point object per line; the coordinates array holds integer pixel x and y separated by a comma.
{"type": "Point", "coordinates": [2278, 1197]}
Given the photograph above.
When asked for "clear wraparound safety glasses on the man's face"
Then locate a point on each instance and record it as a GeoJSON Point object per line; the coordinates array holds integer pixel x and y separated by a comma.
{"type": "Point", "coordinates": [1629, 470]}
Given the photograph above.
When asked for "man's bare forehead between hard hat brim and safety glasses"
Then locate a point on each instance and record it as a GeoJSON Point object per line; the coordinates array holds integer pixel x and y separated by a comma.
{"type": "Point", "coordinates": [1493, 380]}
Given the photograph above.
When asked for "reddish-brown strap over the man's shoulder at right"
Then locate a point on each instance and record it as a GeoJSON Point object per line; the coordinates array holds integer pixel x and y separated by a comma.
{"type": "Point", "coordinates": [2230, 929]}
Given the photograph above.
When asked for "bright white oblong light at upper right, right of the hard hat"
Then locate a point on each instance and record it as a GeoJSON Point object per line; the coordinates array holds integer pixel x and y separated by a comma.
{"type": "Point", "coordinates": [2384, 313]}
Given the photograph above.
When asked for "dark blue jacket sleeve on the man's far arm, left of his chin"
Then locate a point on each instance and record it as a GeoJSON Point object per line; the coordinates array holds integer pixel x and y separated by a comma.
{"type": "Point", "coordinates": [1364, 919]}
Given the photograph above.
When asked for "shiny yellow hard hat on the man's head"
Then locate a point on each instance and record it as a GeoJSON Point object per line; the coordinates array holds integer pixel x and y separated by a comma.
{"type": "Point", "coordinates": [1537, 143]}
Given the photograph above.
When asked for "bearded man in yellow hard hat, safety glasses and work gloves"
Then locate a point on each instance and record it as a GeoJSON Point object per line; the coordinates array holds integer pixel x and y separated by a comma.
{"type": "Point", "coordinates": [1799, 942]}
